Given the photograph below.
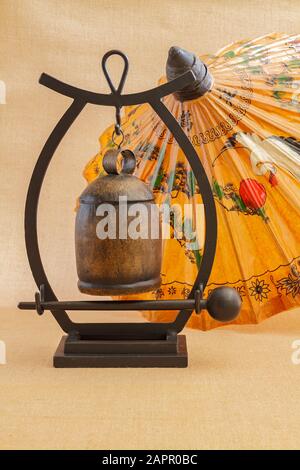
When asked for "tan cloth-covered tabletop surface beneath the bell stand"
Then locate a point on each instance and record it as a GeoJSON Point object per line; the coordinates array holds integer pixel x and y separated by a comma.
{"type": "Point", "coordinates": [241, 390]}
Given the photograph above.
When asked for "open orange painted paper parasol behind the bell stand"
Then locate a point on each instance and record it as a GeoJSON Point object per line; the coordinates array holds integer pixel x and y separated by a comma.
{"type": "Point", "coordinates": [243, 118]}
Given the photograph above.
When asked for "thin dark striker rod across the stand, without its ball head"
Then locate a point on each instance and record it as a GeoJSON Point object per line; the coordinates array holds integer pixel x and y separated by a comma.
{"type": "Point", "coordinates": [181, 304]}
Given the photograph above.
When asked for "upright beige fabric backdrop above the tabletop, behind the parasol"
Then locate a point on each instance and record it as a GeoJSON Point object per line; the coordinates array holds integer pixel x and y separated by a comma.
{"type": "Point", "coordinates": [67, 39]}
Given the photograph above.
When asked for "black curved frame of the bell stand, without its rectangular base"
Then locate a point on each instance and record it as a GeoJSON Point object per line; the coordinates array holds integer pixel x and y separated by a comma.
{"type": "Point", "coordinates": [47, 299]}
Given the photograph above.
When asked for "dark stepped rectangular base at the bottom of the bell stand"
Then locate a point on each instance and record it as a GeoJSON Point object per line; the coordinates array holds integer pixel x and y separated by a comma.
{"type": "Point", "coordinates": [72, 352]}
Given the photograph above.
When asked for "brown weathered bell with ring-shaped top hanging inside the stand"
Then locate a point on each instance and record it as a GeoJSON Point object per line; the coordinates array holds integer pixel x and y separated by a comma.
{"type": "Point", "coordinates": [118, 261]}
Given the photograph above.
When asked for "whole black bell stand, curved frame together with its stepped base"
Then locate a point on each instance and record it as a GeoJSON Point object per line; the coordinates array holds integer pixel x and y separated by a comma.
{"type": "Point", "coordinates": [118, 344]}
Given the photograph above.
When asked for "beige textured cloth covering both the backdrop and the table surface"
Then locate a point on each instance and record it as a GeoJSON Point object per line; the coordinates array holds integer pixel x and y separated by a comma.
{"type": "Point", "coordinates": [241, 389]}
